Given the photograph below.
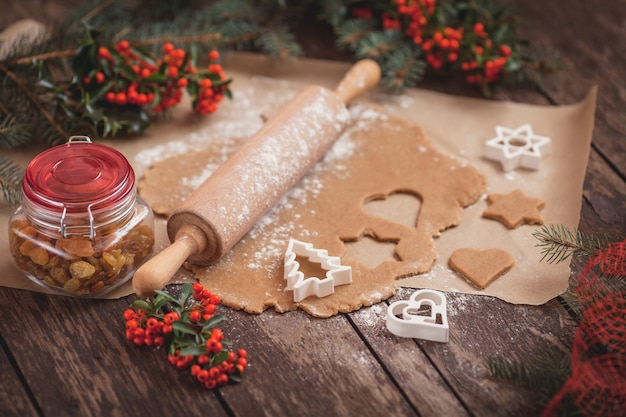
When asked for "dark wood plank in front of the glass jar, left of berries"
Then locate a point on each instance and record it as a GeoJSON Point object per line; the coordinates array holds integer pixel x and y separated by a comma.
{"type": "Point", "coordinates": [75, 359]}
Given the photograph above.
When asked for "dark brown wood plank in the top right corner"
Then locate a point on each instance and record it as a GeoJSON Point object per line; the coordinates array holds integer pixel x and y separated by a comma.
{"type": "Point", "coordinates": [589, 39]}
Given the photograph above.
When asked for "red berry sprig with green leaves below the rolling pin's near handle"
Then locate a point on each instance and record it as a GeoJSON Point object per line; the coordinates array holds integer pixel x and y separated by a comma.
{"type": "Point", "coordinates": [186, 328]}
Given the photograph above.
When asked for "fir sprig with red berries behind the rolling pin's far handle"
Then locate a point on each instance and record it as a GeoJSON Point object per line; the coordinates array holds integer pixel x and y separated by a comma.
{"type": "Point", "coordinates": [417, 32]}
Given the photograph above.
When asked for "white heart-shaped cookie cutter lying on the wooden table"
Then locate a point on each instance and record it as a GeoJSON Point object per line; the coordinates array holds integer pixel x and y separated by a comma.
{"type": "Point", "coordinates": [422, 316]}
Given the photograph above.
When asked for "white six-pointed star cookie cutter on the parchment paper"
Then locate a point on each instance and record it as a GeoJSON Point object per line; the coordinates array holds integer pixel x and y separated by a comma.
{"type": "Point", "coordinates": [517, 147]}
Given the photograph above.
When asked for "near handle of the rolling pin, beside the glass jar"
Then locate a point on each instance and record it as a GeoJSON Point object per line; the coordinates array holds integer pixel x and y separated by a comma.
{"type": "Point", "coordinates": [156, 273]}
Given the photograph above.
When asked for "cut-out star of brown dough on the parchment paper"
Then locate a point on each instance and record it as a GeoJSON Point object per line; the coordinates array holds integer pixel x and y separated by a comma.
{"type": "Point", "coordinates": [514, 208]}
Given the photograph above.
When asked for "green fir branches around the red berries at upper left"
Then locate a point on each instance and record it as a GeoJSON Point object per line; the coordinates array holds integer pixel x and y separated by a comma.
{"type": "Point", "coordinates": [42, 101]}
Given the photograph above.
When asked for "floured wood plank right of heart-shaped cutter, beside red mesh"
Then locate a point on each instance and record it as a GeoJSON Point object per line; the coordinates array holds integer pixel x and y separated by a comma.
{"type": "Point", "coordinates": [483, 328]}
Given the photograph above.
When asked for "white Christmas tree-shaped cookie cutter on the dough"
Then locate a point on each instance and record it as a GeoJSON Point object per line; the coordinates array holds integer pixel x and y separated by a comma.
{"type": "Point", "coordinates": [336, 274]}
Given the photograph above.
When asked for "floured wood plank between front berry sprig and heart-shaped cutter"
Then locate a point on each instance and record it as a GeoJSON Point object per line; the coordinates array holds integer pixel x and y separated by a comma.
{"type": "Point", "coordinates": [309, 367]}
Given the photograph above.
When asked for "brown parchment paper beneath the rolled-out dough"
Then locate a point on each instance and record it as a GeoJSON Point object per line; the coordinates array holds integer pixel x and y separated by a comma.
{"type": "Point", "coordinates": [457, 126]}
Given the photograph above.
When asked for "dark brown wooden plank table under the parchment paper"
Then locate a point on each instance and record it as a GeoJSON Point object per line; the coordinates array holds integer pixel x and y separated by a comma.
{"type": "Point", "coordinates": [68, 357]}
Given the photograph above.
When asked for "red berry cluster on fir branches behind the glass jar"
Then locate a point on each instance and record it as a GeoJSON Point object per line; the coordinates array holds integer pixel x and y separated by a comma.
{"type": "Point", "coordinates": [125, 75]}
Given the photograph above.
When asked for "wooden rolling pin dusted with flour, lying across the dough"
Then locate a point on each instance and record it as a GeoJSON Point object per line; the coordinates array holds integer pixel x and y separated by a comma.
{"type": "Point", "coordinates": [230, 202]}
